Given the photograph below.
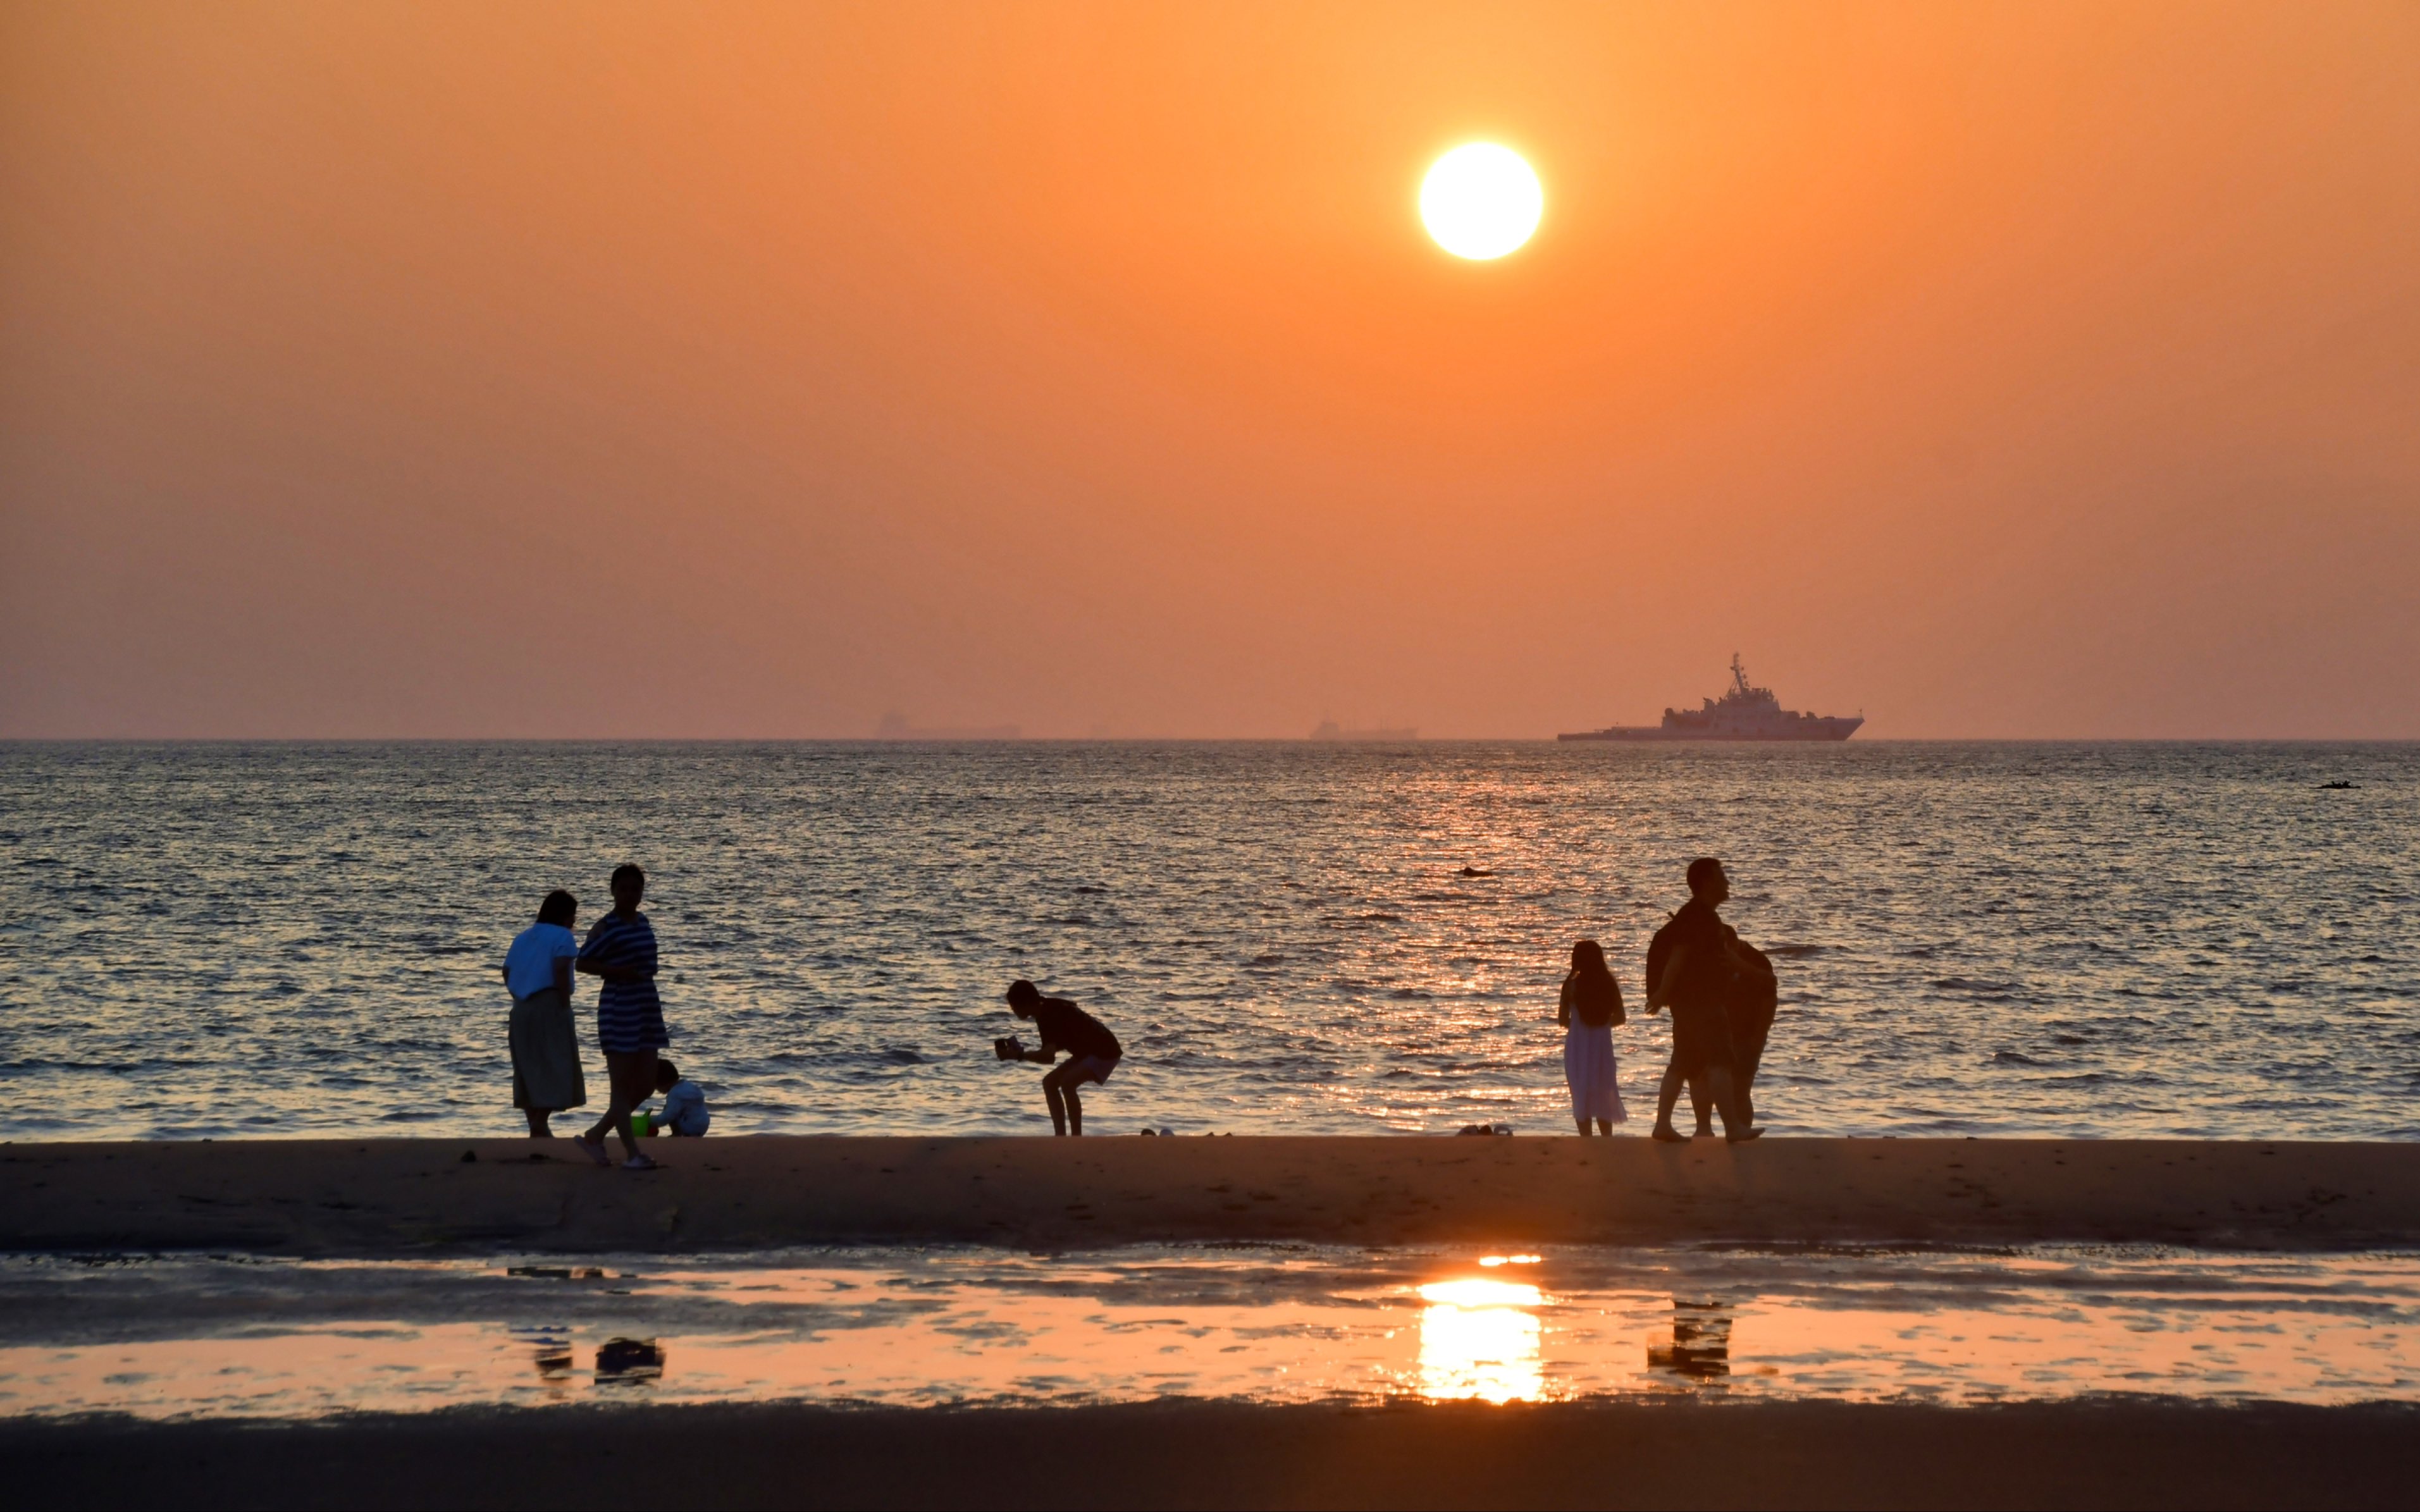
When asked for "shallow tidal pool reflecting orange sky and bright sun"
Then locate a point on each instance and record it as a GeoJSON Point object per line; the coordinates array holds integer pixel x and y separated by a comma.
{"type": "Point", "coordinates": [175, 1337]}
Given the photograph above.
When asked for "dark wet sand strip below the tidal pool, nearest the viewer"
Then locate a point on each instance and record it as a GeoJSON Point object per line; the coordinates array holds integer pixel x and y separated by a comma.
{"type": "Point", "coordinates": [1199, 1455]}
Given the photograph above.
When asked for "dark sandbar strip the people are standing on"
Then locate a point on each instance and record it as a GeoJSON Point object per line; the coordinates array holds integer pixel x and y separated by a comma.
{"type": "Point", "coordinates": [485, 1196]}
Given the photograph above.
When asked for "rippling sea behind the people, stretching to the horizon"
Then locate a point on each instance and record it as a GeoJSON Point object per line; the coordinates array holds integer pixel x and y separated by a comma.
{"type": "Point", "coordinates": [1990, 940]}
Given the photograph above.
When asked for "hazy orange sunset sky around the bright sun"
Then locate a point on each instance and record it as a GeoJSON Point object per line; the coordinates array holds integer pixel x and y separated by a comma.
{"type": "Point", "coordinates": [756, 371]}
